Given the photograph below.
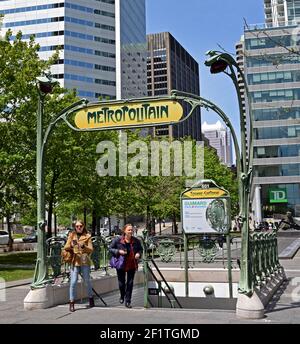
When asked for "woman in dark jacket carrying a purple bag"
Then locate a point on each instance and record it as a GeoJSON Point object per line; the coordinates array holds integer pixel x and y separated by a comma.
{"type": "Point", "coordinates": [130, 247]}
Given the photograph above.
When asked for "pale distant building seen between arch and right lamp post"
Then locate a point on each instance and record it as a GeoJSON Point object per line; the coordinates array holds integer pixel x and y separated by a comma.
{"type": "Point", "coordinates": [219, 138]}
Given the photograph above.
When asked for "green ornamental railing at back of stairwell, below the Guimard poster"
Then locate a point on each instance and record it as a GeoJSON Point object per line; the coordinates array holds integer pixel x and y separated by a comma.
{"type": "Point", "coordinates": [180, 250]}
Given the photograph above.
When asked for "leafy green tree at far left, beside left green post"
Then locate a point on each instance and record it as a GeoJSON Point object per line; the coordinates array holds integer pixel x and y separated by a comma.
{"type": "Point", "coordinates": [19, 66]}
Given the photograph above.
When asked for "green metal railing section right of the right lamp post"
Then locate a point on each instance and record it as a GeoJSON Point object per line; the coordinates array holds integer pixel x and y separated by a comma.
{"type": "Point", "coordinates": [264, 257]}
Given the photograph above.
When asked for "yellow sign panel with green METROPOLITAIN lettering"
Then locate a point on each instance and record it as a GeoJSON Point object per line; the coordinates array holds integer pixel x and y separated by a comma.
{"type": "Point", "coordinates": [129, 114]}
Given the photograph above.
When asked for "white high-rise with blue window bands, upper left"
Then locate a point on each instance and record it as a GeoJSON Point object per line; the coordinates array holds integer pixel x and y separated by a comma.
{"type": "Point", "coordinates": [91, 35]}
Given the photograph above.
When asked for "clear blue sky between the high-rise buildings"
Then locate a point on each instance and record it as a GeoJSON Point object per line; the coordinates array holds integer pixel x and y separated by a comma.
{"type": "Point", "coordinates": [199, 26]}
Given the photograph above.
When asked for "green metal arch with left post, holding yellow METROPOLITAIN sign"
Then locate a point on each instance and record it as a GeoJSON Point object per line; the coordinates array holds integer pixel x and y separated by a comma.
{"type": "Point", "coordinates": [82, 116]}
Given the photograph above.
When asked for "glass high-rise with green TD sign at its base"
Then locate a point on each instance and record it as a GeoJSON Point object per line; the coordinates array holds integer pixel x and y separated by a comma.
{"type": "Point", "coordinates": [270, 58]}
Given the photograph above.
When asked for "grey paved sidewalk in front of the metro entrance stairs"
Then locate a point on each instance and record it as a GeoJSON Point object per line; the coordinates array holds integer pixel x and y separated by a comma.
{"type": "Point", "coordinates": [285, 308]}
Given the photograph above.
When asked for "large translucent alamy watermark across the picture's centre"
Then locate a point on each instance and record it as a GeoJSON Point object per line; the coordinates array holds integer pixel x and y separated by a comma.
{"type": "Point", "coordinates": [156, 158]}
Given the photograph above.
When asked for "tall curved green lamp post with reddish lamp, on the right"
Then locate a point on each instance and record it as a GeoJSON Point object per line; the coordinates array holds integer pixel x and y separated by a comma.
{"type": "Point", "coordinates": [220, 62]}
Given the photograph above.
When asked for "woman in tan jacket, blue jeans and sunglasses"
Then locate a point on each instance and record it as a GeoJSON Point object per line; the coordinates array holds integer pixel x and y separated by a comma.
{"type": "Point", "coordinates": [80, 244]}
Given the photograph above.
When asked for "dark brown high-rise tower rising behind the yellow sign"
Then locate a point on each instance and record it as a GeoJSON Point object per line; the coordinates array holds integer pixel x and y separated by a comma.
{"type": "Point", "coordinates": [171, 67]}
